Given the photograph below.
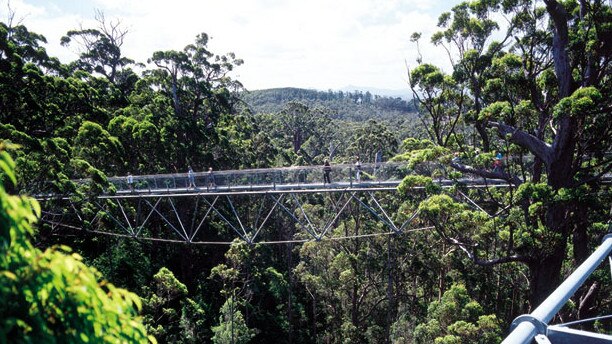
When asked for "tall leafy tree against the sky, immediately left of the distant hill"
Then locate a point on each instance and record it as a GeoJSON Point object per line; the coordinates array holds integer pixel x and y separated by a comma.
{"type": "Point", "coordinates": [198, 85]}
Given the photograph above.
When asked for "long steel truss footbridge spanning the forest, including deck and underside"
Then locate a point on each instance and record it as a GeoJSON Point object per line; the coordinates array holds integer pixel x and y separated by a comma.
{"type": "Point", "coordinates": [186, 204]}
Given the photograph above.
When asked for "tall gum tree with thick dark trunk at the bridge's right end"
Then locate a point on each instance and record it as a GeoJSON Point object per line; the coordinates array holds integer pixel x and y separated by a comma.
{"type": "Point", "coordinates": [544, 91]}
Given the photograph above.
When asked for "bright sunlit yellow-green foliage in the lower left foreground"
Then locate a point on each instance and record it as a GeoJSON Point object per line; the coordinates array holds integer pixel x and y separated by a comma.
{"type": "Point", "coordinates": [52, 296]}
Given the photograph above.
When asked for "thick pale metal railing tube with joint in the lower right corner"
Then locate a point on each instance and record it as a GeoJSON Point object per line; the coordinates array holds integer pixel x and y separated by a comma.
{"type": "Point", "coordinates": [535, 325]}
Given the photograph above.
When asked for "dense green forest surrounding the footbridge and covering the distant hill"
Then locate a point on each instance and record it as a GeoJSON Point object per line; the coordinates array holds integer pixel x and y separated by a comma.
{"type": "Point", "coordinates": [538, 95]}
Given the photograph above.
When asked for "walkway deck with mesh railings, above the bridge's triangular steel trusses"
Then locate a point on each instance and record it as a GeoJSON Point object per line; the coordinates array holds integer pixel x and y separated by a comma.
{"type": "Point", "coordinates": [373, 177]}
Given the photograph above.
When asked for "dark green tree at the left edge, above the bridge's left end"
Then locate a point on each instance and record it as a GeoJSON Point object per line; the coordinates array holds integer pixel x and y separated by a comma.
{"type": "Point", "coordinates": [42, 107]}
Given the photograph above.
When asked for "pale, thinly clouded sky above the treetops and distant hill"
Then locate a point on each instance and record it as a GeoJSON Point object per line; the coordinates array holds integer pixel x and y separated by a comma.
{"type": "Point", "coordinates": [317, 44]}
